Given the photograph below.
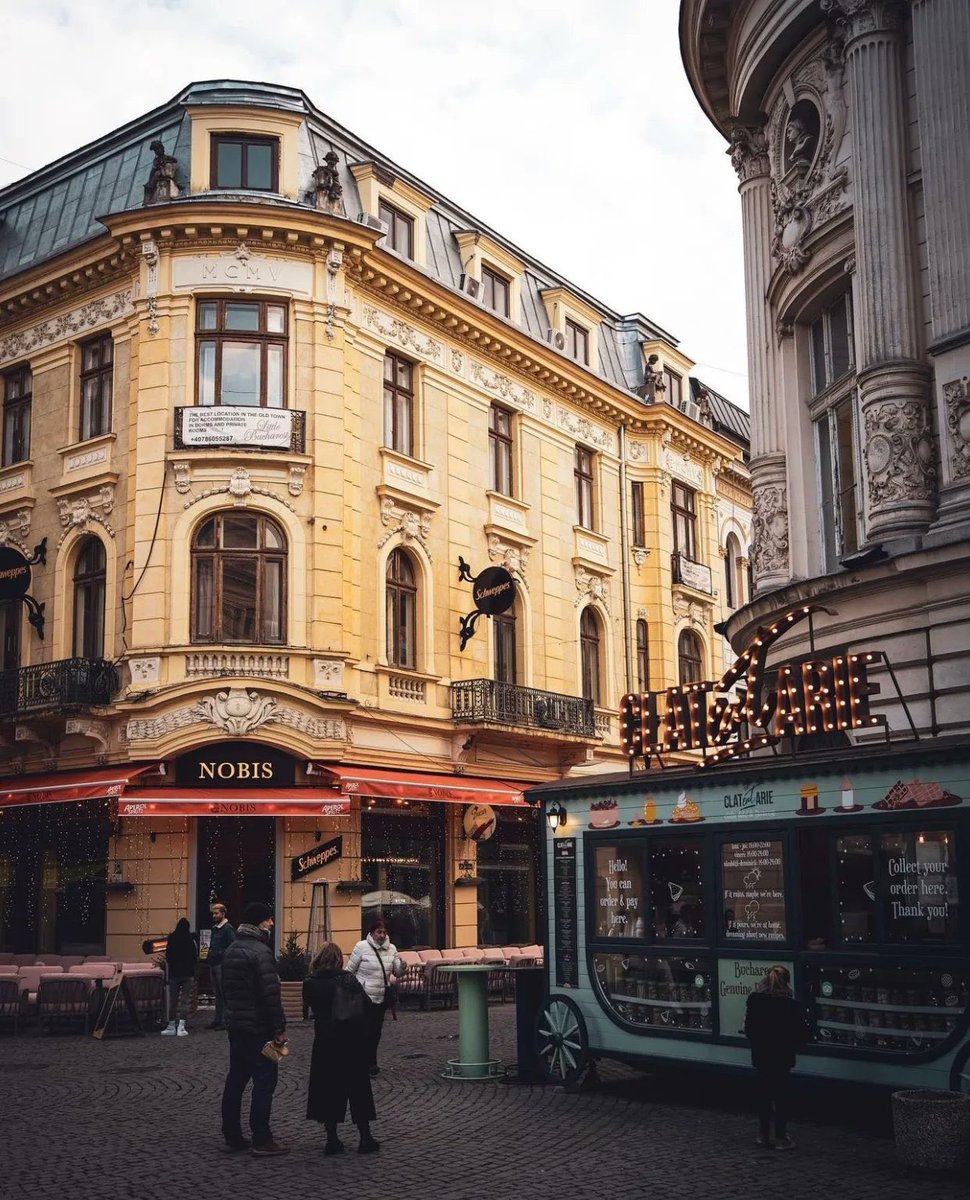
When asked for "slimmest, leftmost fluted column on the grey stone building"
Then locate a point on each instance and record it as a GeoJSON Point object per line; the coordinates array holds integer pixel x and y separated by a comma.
{"type": "Point", "coordinates": [770, 549]}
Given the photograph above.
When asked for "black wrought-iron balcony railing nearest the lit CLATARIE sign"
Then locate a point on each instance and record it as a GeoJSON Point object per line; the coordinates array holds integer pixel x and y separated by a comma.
{"type": "Point", "coordinates": [478, 701]}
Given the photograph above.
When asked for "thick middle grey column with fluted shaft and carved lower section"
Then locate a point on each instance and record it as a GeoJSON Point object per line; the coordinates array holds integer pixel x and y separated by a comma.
{"type": "Point", "coordinates": [896, 429]}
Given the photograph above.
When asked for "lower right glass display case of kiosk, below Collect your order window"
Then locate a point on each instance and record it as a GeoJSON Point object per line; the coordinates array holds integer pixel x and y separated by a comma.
{"type": "Point", "coordinates": [897, 1010]}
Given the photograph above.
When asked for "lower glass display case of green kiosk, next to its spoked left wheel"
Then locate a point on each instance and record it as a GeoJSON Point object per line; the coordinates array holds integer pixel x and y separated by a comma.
{"type": "Point", "coordinates": [673, 994]}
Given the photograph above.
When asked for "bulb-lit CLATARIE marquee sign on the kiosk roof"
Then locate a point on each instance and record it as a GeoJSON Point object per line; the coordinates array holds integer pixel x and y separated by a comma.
{"type": "Point", "coordinates": [751, 707]}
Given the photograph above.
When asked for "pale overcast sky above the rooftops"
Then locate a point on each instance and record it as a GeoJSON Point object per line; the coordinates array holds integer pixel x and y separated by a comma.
{"type": "Point", "coordinates": [567, 127]}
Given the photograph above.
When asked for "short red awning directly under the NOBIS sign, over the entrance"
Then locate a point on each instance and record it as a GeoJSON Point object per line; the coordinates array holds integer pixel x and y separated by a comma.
{"type": "Point", "coordinates": [232, 802]}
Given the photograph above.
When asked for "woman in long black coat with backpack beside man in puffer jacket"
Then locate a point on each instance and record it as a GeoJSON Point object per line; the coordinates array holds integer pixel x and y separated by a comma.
{"type": "Point", "coordinates": [340, 1059]}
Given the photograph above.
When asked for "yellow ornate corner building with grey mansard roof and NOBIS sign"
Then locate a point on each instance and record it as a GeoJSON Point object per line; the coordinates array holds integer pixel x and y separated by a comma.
{"type": "Point", "coordinates": [264, 391]}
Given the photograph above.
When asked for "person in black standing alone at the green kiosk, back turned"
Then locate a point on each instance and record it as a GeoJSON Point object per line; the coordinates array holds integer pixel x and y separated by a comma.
{"type": "Point", "coordinates": [776, 1029]}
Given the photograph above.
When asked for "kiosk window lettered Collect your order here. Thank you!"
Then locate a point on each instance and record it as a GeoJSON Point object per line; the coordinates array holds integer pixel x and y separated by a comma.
{"type": "Point", "coordinates": [918, 890]}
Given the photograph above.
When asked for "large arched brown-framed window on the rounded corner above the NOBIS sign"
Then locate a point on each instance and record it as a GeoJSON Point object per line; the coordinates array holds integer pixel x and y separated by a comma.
{"type": "Point", "coordinates": [239, 580]}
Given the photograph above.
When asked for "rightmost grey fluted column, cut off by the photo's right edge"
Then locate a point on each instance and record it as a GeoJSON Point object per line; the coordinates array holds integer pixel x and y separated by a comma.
{"type": "Point", "coordinates": [941, 39]}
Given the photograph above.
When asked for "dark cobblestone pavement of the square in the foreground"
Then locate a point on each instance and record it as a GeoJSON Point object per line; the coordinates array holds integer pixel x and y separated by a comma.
{"type": "Point", "coordinates": [140, 1118]}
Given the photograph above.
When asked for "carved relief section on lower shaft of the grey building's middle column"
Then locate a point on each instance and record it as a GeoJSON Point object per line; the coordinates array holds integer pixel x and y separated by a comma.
{"type": "Point", "coordinates": [900, 455]}
